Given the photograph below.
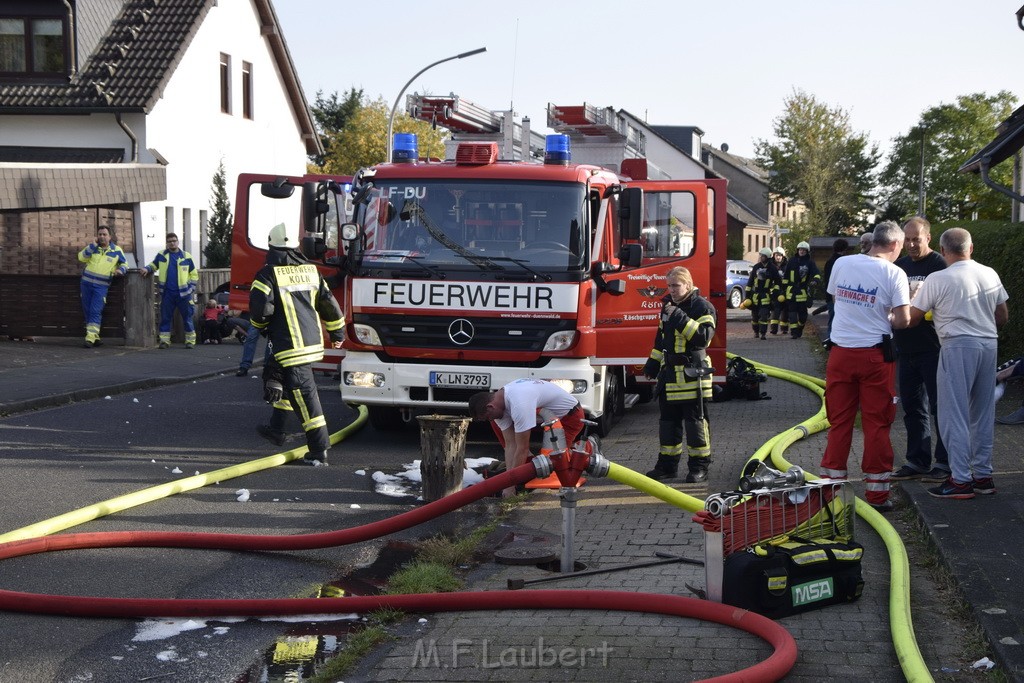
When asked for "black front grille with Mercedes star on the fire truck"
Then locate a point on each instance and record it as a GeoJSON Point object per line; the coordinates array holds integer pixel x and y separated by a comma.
{"type": "Point", "coordinates": [494, 334]}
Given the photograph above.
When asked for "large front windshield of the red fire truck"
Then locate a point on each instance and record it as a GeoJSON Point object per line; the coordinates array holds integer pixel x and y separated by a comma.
{"type": "Point", "coordinates": [506, 229]}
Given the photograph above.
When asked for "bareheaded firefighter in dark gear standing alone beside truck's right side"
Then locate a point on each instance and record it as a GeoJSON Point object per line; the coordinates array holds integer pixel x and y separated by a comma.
{"type": "Point", "coordinates": [680, 363]}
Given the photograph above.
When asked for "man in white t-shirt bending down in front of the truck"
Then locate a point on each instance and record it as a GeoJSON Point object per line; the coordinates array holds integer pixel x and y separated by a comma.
{"type": "Point", "coordinates": [519, 407]}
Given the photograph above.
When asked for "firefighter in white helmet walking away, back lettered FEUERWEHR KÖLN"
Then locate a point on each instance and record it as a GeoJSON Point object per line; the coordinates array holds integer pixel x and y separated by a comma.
{"type": "Point", "coordinates": [288, 304]}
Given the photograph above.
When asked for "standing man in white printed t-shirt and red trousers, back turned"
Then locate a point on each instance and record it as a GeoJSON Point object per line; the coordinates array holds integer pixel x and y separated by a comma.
{"type": "Point", "coordinates": [872, 297]}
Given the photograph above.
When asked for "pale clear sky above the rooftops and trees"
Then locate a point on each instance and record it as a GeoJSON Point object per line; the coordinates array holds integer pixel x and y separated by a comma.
{"type": "Point", "coordinates": [726, 66]}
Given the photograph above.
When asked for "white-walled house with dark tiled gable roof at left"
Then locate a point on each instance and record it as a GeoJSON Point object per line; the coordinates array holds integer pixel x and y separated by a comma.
{"type": "Point", "coordinates": [119, 112]}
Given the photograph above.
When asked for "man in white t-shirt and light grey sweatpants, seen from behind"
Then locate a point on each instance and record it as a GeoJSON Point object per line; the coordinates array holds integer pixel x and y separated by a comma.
{"type": "Point", "coordinates": [968, 305]}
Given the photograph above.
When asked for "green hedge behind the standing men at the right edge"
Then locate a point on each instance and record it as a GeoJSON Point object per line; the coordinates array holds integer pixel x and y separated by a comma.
{"type": "Point", "coordinates": [1001, 246]}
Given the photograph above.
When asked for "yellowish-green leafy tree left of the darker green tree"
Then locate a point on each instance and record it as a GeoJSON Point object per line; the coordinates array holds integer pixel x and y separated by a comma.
{"type": "Point", "coordinates": [818, 158]}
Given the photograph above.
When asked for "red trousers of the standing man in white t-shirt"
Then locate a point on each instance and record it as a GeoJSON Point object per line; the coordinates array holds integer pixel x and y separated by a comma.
{"type": "Point", "coordinates": [860, 378]}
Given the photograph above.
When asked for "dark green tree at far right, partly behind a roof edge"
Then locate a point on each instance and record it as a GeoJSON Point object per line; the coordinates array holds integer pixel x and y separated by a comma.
{"type": "Point", "coordinates": [951, 135]}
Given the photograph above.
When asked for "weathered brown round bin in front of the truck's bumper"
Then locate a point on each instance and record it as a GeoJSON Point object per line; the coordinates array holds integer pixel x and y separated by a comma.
{"type": "Point", "coordinates": [443, 446]}
